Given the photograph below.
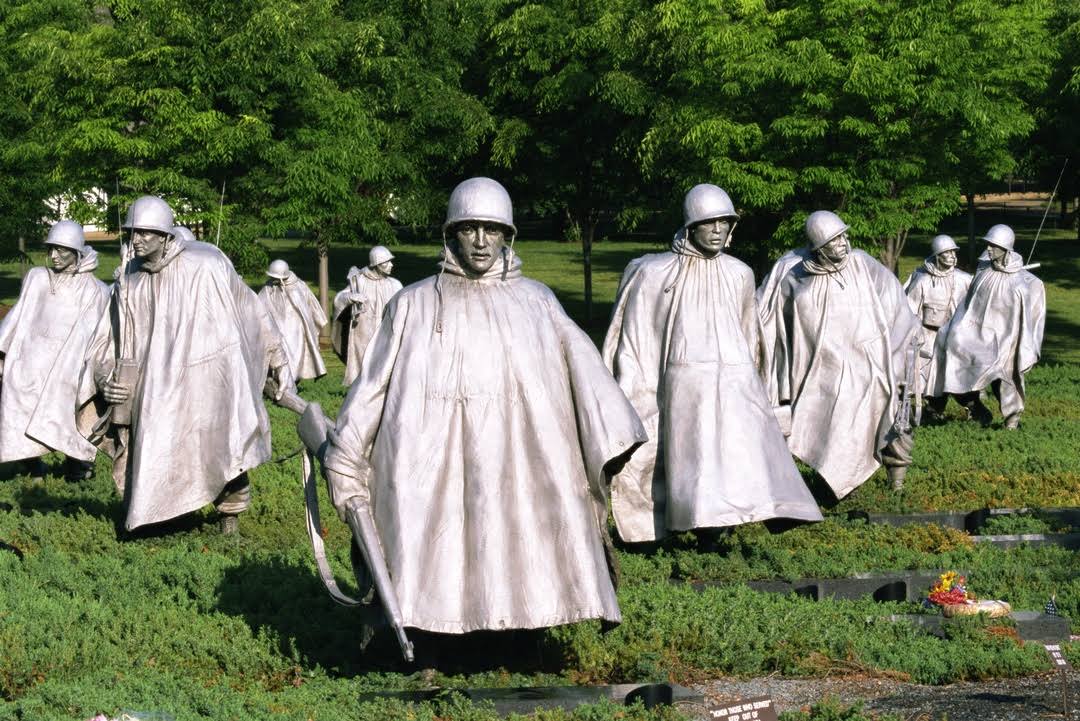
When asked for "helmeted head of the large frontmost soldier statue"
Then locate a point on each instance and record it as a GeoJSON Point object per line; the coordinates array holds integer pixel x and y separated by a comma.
{"type": "Point", "coordinates": [479, 219]}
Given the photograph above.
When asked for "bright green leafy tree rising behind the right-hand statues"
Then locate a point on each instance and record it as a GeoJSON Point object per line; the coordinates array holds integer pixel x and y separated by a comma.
{"type": "Point", "coordinates": [869, 108]}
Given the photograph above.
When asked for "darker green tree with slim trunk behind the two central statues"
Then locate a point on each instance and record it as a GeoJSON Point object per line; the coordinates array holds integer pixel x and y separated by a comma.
{"type": "Point", "coordinates": [571, 112]}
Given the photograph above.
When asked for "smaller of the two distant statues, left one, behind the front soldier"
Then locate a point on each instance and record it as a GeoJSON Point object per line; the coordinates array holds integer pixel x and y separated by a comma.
{"type": "Point", "coordinates": [299, 317]}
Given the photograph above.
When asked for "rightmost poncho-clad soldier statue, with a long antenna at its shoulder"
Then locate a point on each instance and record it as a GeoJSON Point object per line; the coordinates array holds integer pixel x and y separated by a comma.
{"type": "Point", "coordinates": [996, 335]}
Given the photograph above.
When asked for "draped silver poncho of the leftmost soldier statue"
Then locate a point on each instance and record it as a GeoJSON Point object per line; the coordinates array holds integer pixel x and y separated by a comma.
{"type": "Point", "coordinates": [44, 339]}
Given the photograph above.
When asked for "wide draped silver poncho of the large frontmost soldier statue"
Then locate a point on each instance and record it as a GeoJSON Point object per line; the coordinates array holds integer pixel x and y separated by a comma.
{"type": "Point", "coordinates": [478, 436]}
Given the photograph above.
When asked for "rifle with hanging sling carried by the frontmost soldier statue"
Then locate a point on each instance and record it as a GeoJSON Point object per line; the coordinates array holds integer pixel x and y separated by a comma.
{"type": "Point", "coordinates": [314, 429]}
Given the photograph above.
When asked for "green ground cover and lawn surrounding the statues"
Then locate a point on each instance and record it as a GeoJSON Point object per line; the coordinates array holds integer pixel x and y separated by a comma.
{"type": "Point", "coordinates": [204, 627]}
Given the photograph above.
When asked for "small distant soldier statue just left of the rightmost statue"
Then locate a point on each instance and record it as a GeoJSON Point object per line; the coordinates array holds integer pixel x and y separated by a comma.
{"type": "Point", "coordinates": [935, 291]}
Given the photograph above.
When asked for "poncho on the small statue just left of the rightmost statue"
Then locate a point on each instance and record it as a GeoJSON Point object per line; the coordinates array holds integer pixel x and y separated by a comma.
{"type": "Point", "coordinates": [935, 295]}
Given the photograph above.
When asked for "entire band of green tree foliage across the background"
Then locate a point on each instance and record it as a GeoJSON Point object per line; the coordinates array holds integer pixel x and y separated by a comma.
{"type": "Point", "coordinates": [341, 119]}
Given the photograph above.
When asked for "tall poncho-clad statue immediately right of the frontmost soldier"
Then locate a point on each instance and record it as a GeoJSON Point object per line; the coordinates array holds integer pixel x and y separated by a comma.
{"type": "Point", "coordinates": [685, 345]}
